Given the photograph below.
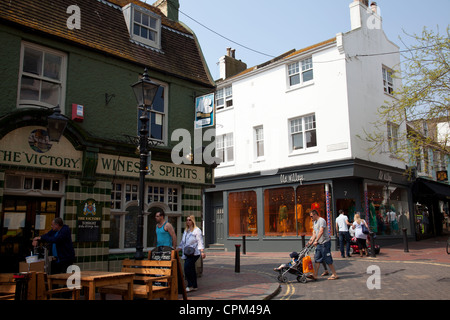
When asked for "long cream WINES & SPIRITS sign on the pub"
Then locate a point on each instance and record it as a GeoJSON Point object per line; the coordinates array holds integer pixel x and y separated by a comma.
{"type": "Point", "coordinates": [129, 167]}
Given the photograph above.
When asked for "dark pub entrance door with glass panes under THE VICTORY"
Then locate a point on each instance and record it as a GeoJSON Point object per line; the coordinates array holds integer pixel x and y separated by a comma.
{"type": "Point", "coordinates": [22, 219]}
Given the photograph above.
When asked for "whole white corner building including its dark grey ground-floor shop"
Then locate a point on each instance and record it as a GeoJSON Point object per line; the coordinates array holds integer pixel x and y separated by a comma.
{"type": "Point", "coordinates": [290, 134]}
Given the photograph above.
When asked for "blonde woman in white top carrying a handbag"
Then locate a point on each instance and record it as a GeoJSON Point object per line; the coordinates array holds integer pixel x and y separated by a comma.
{"type": "Point", "coordinates": [192, 246]}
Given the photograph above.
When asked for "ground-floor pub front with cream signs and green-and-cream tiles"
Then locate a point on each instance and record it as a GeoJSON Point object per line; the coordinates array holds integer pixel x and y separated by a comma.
{"type": "Point", "coordinates": [94, 191]}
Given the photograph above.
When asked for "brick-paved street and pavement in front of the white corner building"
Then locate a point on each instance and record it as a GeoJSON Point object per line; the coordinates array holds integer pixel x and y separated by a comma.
{"type": "Point", "coordinates": [422, 273]}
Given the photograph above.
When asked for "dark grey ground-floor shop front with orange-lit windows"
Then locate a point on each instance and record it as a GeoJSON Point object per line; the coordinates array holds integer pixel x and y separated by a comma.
{"type": "Point", "coordinates": [273, 212]}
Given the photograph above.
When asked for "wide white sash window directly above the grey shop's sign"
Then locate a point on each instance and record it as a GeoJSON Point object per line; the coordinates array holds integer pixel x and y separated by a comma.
{"type": "Point", "coordinates": [302, 126]}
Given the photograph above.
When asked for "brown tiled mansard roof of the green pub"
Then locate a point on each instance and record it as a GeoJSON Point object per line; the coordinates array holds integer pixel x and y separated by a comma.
{"type": "Point", "coordinates": [103, 29]}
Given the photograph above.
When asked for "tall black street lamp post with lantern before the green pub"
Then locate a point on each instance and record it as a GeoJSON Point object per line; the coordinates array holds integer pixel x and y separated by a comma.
{"type": "Point", "coordinates": [145, 91]}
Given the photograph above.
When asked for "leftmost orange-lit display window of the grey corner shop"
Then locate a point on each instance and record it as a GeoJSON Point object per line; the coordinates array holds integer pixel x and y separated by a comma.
{"type": "Point", "coordinates": [242, 214]}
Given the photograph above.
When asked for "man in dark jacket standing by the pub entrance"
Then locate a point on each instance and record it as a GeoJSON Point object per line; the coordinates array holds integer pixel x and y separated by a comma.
{"type": "Point", "coordinates": [62, 248]}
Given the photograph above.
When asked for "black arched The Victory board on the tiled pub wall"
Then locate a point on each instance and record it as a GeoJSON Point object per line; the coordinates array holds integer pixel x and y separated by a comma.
{"type": "Point", "coordinates": [89, 221]}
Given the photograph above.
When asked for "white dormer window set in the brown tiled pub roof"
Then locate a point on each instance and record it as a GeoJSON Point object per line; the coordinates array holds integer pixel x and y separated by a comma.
{"type": "Point", "coordinates": [144, 25]}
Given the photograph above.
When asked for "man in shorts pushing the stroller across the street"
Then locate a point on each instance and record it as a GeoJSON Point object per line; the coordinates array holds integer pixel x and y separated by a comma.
{"type": "Point", "coordinates": [321, 239]}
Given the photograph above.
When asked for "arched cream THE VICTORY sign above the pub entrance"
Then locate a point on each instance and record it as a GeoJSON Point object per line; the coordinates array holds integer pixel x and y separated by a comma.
{"type": "Point", "coordinates": [31, 147]}
